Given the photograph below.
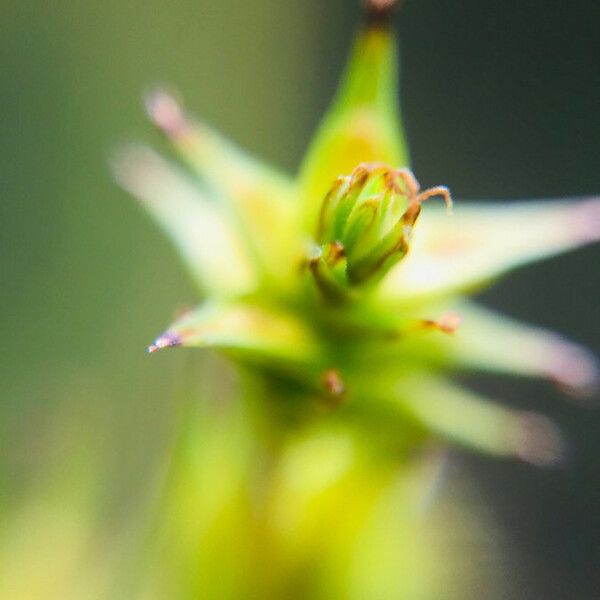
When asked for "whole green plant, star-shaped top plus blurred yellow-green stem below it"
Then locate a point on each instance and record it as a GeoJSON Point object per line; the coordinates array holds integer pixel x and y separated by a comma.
{"type": "Point", "coordinates": [342, 295]}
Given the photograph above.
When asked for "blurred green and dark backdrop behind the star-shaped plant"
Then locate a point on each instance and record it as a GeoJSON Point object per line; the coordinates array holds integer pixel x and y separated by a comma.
{"type": "Point", "coordinates": [501, 102]}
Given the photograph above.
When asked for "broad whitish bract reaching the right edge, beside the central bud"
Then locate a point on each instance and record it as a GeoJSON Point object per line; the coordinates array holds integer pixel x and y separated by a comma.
{"type": "Point", "coordinates": [482, 241]}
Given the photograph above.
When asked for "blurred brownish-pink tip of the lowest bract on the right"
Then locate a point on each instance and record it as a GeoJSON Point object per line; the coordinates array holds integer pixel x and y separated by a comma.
{"type": "Point", "coordinates": [538, 440]}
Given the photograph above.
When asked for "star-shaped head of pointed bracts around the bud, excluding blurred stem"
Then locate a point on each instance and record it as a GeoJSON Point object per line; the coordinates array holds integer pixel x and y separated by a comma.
{"type": "Point", "coordinates": [343, 283]}
